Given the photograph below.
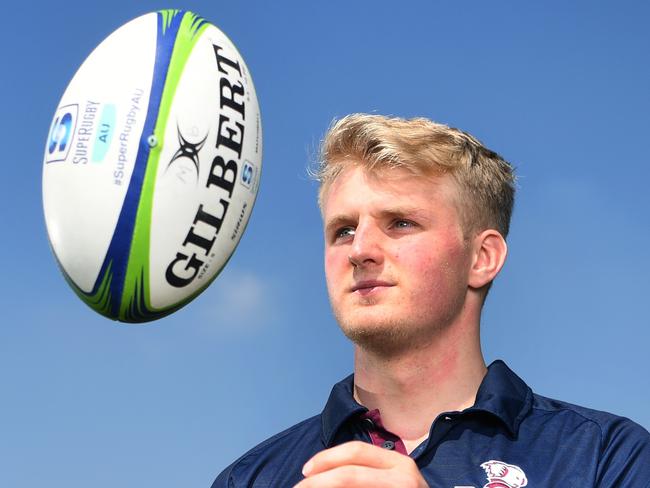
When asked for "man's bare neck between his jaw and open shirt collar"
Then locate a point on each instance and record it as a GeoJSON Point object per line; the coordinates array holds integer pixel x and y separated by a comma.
{"type": "Point", "coordinates": [412, 389]}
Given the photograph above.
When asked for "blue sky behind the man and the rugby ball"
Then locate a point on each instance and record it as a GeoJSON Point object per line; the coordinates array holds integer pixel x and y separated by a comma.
{"type": "Point", "coordinates": [561, 89]}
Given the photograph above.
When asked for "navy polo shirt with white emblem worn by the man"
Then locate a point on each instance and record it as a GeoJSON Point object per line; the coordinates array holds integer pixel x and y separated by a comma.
{"type": "Point", "coordinates": [510, 438]}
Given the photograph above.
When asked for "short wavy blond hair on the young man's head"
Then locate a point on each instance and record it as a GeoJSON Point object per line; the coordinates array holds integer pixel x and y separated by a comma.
{"type": "Point", "coordinates": [485, 180]}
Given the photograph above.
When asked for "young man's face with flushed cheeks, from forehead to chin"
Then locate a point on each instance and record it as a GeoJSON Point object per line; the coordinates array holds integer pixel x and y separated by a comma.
{"type": "Point", "coordinates": [396, 262]}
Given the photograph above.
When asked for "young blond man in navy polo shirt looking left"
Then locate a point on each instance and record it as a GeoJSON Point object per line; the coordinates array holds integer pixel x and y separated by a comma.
{"type": "Point", "coordinates": [415, 217]}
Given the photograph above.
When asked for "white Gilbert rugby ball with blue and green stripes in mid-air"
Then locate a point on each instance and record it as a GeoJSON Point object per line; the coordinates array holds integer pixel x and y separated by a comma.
{"type": "Point", "coordinates": [152, 165]}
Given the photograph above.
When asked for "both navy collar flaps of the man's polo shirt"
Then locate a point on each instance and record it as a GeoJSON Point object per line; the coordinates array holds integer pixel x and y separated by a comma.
{"type": "Point", "coordinates": [501, 393]}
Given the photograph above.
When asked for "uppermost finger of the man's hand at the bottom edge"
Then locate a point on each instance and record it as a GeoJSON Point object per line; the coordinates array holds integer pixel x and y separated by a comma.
{"type": "Point", "coordinates": [352, 453]}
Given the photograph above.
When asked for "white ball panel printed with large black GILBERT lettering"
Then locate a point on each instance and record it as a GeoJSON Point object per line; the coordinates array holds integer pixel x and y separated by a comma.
{"type": "Point", "coordinates": [212, 135]}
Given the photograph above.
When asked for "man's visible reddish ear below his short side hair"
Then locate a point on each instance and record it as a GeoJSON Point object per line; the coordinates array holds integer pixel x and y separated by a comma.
{"type": "Point", "coordinates": [489, 254]}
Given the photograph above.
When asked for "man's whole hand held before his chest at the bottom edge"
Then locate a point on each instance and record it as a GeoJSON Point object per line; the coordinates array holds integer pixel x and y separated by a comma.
{"type": "Point", "coordinates": [359, 464]}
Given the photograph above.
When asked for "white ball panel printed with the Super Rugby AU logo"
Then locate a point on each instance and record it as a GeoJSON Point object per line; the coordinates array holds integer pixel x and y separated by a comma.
{"type": "Point", "coordinates": [82, 195]}
